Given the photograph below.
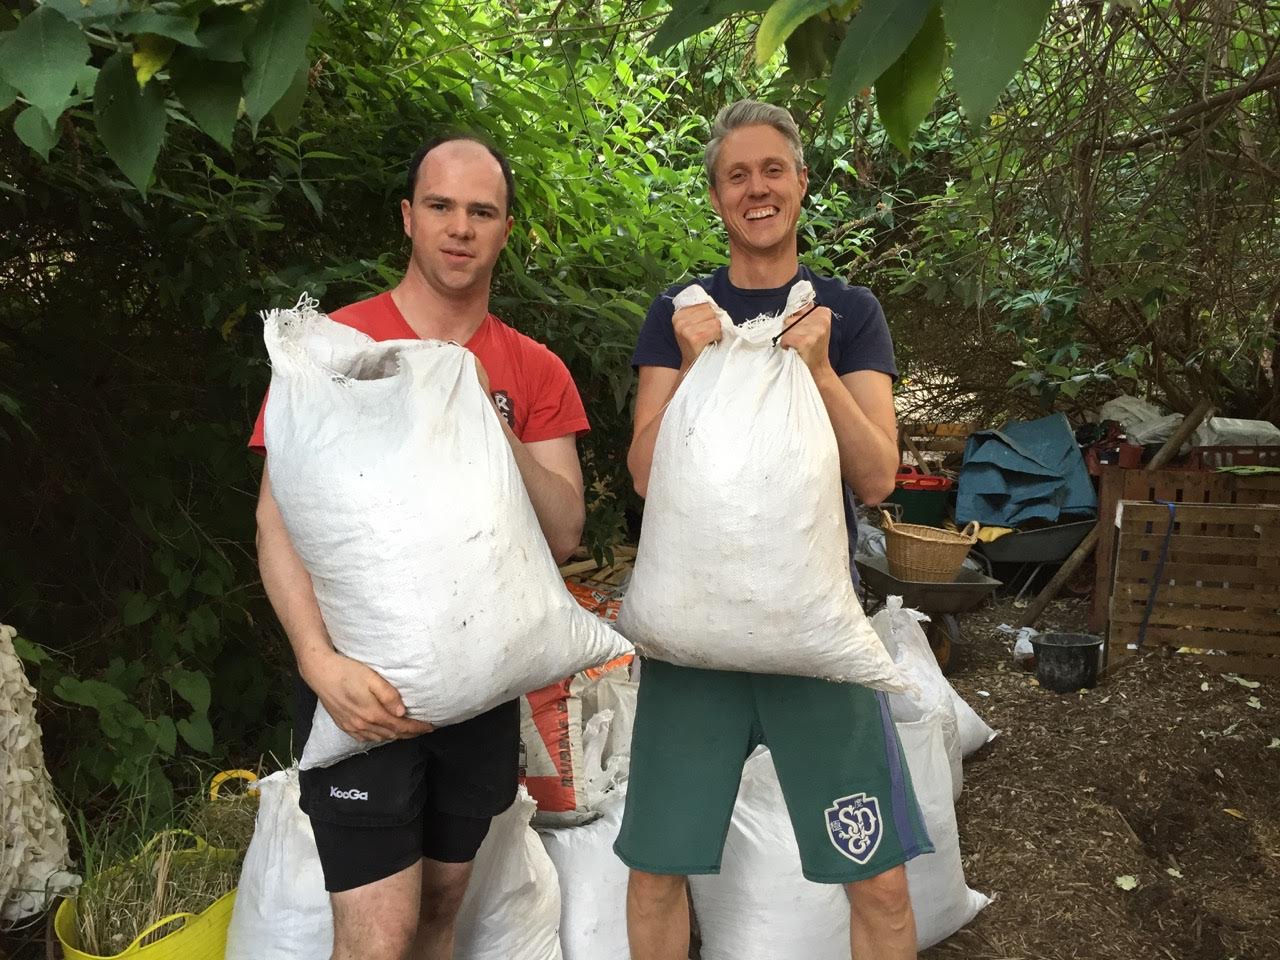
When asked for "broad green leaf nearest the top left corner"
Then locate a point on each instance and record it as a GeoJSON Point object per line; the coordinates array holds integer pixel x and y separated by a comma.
{"type": "Point", "coordinates": [43, 60]}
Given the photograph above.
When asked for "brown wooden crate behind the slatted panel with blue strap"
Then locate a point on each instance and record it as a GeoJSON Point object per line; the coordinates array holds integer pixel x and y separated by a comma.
{"type": "Point", "coordinates": [1173, 486]}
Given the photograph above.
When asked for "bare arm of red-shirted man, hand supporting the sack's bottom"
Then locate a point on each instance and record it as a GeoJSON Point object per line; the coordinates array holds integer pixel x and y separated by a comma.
{"type": "Point", "coordinates": [360, 701]}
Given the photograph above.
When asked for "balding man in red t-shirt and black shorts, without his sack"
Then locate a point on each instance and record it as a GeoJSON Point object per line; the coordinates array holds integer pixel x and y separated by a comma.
{"type": "Point", "coordinates": [399, 828]}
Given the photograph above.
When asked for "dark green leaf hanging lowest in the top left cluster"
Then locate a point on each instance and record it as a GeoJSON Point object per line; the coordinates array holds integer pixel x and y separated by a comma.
{"type": "Point", "coordinates": [131, 120]}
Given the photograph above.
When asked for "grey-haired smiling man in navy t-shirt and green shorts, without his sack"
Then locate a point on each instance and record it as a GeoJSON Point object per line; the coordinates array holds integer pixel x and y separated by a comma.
{"type": "Point", "coordinates": [833, 744]}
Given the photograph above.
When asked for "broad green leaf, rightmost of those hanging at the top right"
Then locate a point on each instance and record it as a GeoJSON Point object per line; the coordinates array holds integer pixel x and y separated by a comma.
{"type": "Point", "coordinates": [991, 40]}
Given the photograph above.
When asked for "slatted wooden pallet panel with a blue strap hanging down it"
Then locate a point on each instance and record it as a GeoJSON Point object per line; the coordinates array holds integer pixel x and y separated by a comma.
{"type": "Point", "coordinates": [1219, 588]}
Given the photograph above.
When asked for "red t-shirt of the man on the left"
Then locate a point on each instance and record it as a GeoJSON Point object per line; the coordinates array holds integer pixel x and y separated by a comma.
{"type": "Point", "coordinates": [531, 386]}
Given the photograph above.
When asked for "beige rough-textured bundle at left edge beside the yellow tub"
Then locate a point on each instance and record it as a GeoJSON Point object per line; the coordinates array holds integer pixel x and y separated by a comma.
{"type": "Point", "coordinates": [33, 835]}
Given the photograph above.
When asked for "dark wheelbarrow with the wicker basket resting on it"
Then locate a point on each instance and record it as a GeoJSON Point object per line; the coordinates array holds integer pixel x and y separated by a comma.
{"type": "Point", "coordinates": [943, 604]}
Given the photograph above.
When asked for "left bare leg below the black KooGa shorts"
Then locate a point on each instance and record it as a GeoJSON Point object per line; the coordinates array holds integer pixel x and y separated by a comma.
{"type": "Point", "coordinates": [378, 921]}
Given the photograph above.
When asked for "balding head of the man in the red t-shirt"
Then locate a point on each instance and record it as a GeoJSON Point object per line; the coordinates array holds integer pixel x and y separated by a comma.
{"type": "Point", "coordinates": [458, 221]}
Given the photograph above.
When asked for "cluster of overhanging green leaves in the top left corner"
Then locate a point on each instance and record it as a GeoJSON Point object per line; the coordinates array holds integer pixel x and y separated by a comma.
{"type": "Point", "coordinates": [190, 57]}
